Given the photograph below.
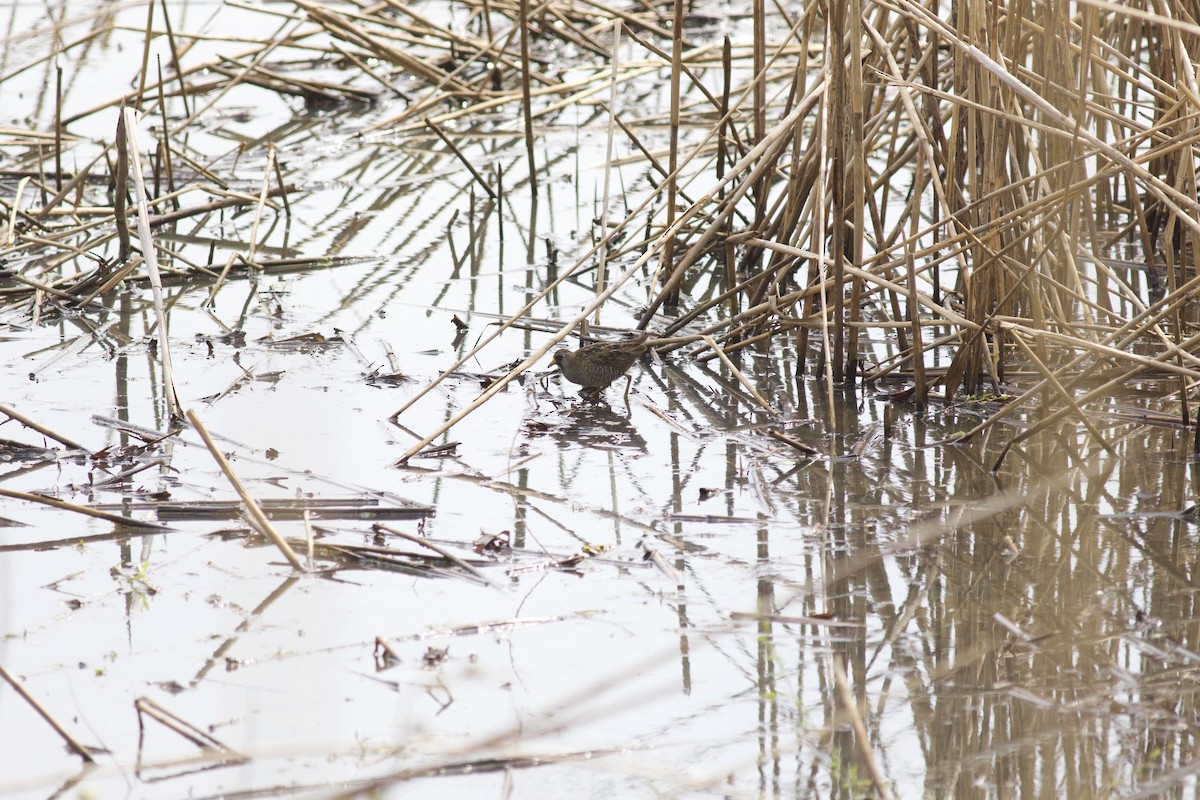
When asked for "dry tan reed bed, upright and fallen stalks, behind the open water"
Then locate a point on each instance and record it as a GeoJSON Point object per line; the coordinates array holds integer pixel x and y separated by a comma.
{"type": "Point", "coordinates": [991, 201]}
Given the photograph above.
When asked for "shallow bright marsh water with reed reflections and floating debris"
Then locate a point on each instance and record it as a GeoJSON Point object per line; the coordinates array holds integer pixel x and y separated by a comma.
{"type": "Point", "coordinates": [663, 600]}
